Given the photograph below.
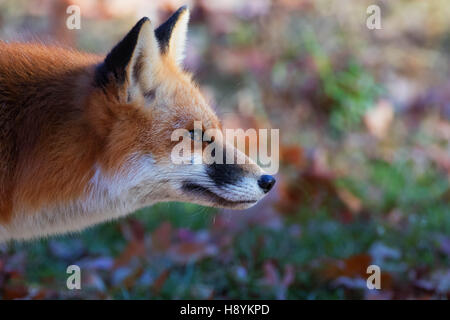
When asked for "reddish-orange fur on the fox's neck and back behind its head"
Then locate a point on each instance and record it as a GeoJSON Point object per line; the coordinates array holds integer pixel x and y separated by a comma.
{"type": "Point", "coordinates": [47, 148]}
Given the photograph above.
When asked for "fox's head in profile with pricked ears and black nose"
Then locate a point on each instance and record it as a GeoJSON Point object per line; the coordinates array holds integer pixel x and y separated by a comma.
{"type": "Point", "coordinates": [142, 95]}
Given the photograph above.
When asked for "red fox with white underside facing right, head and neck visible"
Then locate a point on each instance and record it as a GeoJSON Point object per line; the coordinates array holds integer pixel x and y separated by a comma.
{"type": "Point", "coordinates": [85, 139]}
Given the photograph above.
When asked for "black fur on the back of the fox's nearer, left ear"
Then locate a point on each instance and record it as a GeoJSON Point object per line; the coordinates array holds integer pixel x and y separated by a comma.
{"type": "Point", "coordinates": [117, 60]}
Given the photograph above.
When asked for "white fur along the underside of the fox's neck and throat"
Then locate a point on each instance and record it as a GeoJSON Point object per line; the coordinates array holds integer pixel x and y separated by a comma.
{"type": "Point", "coordinates": [108, 197]}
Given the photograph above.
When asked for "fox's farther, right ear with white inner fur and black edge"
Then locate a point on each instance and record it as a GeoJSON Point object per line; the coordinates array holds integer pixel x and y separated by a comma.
{"type": "Point", "coordinates": [171, 35]}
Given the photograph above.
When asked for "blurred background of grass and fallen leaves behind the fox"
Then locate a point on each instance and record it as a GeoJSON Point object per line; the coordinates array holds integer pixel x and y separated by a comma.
{"type": "Point", "coordinates": [365, 156]}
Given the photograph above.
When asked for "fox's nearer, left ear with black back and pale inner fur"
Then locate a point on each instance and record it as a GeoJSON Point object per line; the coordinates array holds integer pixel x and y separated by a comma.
{"type": "Point", "coordinates": [130, 61]}
